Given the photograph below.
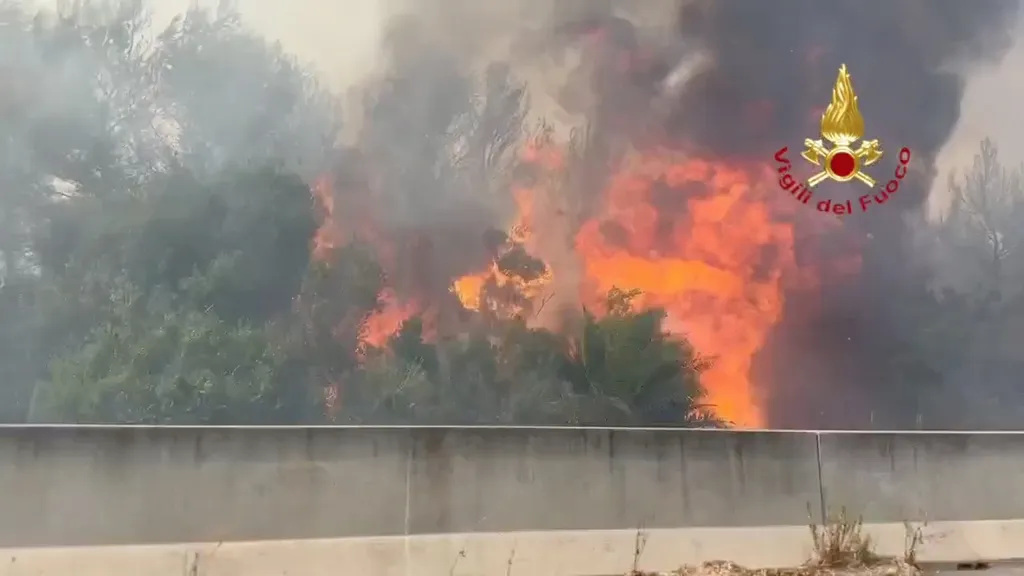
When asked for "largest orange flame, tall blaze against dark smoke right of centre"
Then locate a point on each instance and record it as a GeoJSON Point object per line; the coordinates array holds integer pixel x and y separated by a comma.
{"type": "Point", "coordinates": [717, 268]}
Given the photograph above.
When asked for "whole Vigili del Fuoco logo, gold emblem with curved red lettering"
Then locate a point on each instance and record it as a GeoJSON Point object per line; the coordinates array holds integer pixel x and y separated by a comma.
{"type": "Point", "coordinates": [842, 127]}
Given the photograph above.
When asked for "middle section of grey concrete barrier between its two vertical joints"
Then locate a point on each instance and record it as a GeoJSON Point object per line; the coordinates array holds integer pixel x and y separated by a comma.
{"type": "Point", "coordinates": [500, 480]}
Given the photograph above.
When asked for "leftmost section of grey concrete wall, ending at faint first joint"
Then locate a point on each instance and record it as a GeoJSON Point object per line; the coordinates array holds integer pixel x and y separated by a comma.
{"type": "Point", "coordinates": [94, 486]}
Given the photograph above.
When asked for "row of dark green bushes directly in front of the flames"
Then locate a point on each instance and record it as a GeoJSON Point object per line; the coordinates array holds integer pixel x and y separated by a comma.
{"type": "Point", "coordinates": [623, 369]}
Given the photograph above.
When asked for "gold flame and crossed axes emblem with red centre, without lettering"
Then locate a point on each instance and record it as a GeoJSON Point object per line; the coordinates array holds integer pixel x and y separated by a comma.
{"type": "Point", "coordinates": [842, 126]}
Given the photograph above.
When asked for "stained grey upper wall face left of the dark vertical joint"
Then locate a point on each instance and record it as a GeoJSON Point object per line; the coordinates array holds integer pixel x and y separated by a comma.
{"type": "Point", "coordinates": [88, 486]}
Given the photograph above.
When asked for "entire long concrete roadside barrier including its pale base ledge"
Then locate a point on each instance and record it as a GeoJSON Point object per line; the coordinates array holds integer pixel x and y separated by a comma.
{"type": "Point", "coordinates": [440, 501]}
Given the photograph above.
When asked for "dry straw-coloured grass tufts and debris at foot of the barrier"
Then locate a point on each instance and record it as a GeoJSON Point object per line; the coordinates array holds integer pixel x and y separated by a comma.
{"type": "Point", "coordinates": [841, 549]}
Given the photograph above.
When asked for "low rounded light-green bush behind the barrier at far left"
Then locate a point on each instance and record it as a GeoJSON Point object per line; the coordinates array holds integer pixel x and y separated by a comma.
{"type": "Point", "coordinates": [157, 360]}
